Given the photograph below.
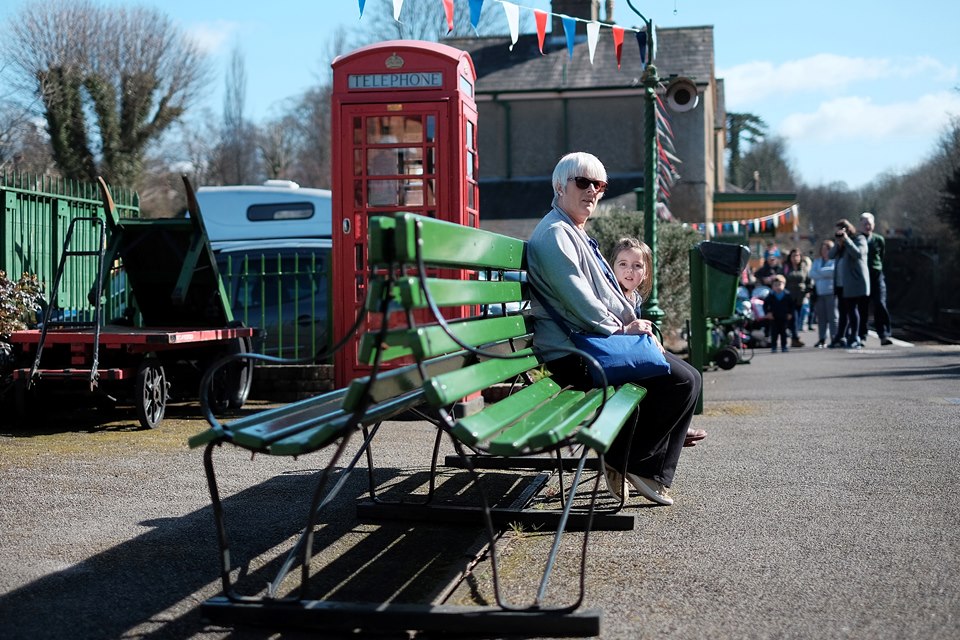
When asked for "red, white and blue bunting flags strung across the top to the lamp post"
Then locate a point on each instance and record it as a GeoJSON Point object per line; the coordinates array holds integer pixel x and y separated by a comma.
{"type": "Point", "coordinates": [646, 42]}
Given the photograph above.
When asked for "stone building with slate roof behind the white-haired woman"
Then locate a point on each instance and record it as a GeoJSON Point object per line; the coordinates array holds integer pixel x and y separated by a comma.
{"type": "Point", "coordinates": [535, 107]}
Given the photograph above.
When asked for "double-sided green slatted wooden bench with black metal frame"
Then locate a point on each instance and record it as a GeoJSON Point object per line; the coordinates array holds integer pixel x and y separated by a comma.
{"type": "Point", "coordinates": [417, 272]}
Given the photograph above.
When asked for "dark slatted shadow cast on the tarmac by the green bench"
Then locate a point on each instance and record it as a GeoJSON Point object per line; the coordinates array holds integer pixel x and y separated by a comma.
{"type": "Point", "coordinates": [129, 586]}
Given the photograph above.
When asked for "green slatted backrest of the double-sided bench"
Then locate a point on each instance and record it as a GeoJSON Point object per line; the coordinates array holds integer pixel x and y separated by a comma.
{"type": "Point", "coordinates": [463, 267]}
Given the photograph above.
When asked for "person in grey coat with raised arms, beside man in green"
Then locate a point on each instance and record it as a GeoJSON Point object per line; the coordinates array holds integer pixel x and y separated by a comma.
{"type": "Point", "coordinates": [851, 284]}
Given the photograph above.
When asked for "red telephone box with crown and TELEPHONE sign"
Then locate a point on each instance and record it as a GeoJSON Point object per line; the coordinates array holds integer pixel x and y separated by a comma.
{"type": "Point", "coordinates": [404, 139]}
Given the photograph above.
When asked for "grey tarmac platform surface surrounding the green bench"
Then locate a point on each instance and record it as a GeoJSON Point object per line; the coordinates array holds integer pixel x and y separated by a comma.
{"type": "Point", "coordinates": [823, 504]}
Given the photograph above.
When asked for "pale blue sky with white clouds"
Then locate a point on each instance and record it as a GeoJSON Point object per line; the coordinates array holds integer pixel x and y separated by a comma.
{"type": "Point", "coordinates": [857, 88]}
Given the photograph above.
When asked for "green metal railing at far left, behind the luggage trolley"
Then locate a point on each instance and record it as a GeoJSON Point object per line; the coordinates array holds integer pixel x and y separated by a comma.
{"type": "Point", "coordinates": [36, 213]}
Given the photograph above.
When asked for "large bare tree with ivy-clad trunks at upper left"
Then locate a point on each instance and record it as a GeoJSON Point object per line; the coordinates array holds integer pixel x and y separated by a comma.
{"type": "Point", "coordinates": [110, 81]}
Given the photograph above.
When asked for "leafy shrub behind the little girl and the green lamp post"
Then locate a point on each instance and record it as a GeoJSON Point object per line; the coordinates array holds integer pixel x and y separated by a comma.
{"type": "Point", "coordinates": [673, 269]}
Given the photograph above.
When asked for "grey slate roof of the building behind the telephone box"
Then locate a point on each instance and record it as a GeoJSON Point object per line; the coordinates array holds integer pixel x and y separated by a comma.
{"type": "Point", "coordinates": [683, 51]}
